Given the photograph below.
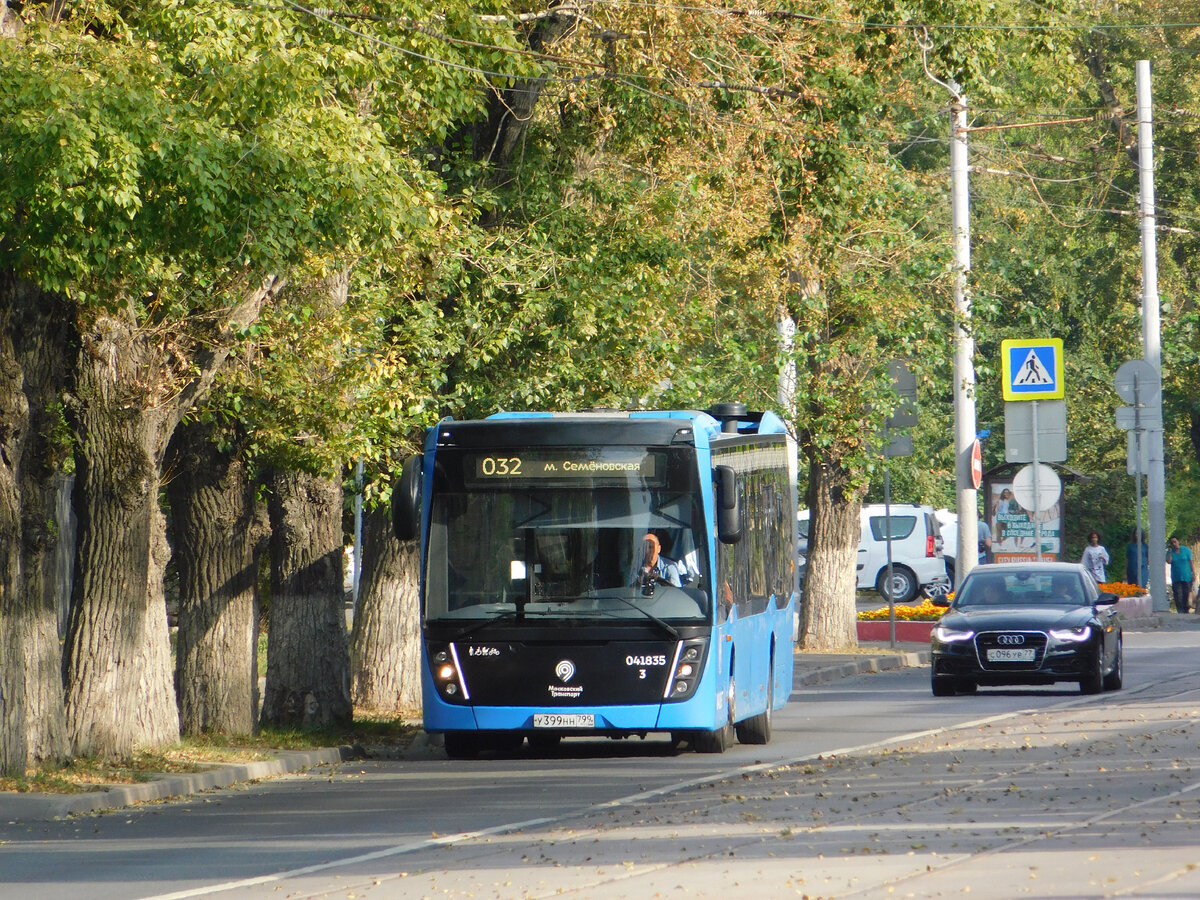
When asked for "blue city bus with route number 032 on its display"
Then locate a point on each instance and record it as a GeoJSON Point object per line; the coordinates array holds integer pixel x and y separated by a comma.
{"type": "Point", "coordinates": [608, 574]}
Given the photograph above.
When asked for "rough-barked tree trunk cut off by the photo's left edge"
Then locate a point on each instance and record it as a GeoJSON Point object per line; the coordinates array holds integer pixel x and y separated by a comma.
{"type": "Point", "coordinates": [33, 727]}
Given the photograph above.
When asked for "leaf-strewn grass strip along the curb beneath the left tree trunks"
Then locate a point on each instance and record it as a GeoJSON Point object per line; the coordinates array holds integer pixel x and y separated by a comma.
{"type": "Point", "coordinates": [197, 754]}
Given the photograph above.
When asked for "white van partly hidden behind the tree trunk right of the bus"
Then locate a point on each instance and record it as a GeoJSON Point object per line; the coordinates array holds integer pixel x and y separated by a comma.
{"type": "Point", "coordinates": [917, 563]}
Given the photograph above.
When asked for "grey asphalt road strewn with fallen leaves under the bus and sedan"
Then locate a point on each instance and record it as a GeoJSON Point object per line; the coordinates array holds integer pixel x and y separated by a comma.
{"type": "Point", "coordinates": [872, 788]}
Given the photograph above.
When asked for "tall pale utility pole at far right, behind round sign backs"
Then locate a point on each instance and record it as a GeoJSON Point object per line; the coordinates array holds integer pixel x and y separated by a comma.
{"type": "Point", "coordinates": [1151, 332]}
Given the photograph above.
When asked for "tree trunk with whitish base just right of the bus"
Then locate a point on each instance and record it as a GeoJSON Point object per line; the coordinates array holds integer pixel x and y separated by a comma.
{"type": "Point", "coordinates": [829, 621]}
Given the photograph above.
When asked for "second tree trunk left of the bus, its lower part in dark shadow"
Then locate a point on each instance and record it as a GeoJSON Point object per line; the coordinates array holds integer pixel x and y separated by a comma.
{"type": "Point", "coordinates": [308, 656]}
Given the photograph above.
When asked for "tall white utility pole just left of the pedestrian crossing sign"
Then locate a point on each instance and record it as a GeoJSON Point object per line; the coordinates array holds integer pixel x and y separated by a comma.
{"type": "Point", "coordinates": [964, 344]}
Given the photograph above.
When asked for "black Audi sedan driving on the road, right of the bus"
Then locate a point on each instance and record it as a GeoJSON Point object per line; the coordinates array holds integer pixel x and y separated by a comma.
{"type": "Point", "coordinates": [1028, 623]}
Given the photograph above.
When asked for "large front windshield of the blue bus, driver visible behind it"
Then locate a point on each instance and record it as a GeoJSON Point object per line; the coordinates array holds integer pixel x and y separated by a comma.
{"type": "Point", "coordinates": [581, 548]}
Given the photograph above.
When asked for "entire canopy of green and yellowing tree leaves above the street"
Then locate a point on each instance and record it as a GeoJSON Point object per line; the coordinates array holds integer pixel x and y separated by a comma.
{"type": "Point", "coordinates": [681, 185]}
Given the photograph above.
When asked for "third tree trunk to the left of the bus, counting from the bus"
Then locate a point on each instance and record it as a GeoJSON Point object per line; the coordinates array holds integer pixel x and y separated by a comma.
{"type": "Point", "coordinates": [220, 530]}
